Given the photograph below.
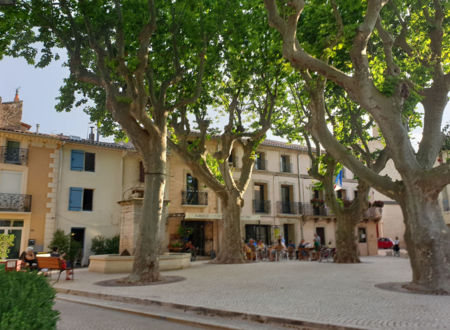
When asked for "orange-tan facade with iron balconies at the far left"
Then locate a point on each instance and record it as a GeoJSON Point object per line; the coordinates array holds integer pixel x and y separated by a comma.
{"type": "Point", "coordinates": [27, 191]}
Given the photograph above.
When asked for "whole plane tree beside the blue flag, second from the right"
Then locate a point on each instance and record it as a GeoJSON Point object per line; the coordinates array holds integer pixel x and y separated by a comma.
{"type": "Point", "coordinates": [351, 126]}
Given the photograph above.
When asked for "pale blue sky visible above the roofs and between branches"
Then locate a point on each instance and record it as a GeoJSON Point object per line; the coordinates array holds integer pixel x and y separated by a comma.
{"type": "Point", "coordinates": [38, 89]}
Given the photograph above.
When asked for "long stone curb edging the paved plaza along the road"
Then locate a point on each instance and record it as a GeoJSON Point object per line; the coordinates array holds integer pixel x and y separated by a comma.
{"type": "Point", "coordinates": [207, 311]}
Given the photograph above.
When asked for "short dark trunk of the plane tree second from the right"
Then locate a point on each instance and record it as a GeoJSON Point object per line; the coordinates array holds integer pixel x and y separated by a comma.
{"type": "Point", "coordinates": [346, 246]}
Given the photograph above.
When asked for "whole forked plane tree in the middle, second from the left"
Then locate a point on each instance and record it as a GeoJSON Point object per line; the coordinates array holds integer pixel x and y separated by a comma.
{"type": "Point", "coordinates": [246, 93]}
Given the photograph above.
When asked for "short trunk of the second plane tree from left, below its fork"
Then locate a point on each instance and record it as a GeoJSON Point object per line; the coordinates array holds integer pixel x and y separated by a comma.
{"type": "Point", "coordinates": [231, 249]}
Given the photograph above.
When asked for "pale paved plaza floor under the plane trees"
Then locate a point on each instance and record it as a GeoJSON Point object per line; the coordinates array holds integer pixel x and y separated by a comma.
{"type": "Point", "coordinates": [326, 293]}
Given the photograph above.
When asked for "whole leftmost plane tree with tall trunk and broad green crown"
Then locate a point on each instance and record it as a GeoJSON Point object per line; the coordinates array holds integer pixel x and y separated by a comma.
{"type": "Point", "coordinates": [137, 62]}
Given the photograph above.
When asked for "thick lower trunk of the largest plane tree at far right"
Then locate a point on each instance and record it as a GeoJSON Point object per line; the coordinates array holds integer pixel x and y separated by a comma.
{"type": "Point", "coordinates": [428, 241]}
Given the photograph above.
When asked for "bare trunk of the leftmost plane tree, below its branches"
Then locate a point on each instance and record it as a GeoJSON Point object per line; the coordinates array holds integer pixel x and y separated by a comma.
{"type": "Point", "coordinates": [146, 255]}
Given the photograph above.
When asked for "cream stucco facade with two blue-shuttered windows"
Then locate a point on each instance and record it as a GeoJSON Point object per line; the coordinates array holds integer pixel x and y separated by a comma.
{"type": "Point", "coordinates": [106, 182]}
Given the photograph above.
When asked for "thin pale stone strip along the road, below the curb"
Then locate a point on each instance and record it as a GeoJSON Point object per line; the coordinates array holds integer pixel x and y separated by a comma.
{"type": "Point", "coordinates": [152, 315]}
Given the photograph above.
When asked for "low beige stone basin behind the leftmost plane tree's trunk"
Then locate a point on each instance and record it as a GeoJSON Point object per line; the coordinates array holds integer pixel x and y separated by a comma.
{"type": "Point", "coordinates": [114, 263]}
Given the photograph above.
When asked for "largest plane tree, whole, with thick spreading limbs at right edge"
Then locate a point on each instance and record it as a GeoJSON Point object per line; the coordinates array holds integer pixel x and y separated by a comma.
{"type": "Point", "coordinates": [398, 59]}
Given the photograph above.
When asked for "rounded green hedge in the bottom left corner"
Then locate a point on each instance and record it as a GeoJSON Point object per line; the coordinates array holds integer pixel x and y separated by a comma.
{"type": "Point", "coordinates": [26, 302]}
